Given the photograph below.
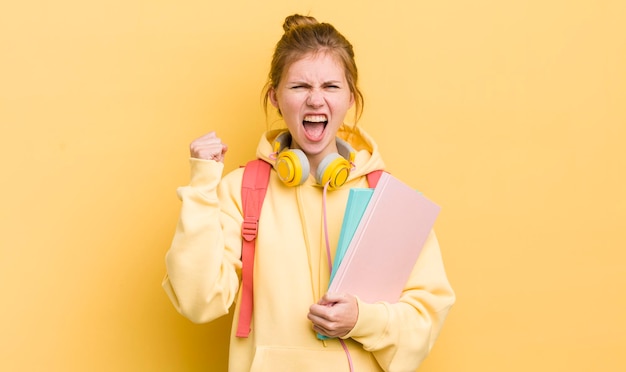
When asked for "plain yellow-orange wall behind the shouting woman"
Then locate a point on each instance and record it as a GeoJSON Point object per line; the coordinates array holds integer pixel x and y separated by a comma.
{"type": "Point", "coordinates": [511, 115]}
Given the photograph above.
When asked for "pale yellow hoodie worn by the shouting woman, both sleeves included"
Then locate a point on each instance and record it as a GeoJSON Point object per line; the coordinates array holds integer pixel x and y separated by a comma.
{"type": "Point", "coordinates": [291, 273]}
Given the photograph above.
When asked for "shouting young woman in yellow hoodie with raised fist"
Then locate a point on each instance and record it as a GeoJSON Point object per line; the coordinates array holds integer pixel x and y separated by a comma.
{"type": "Point", "coordinates": [313, 84]}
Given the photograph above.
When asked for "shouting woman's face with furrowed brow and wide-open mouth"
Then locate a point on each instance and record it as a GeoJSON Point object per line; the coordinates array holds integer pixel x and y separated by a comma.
{"type": "Point", "coordinates": [313, 97]}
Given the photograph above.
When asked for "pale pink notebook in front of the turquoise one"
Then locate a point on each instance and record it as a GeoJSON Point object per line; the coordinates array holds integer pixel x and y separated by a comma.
{"type": "Point", "coordinates": [387, 243]}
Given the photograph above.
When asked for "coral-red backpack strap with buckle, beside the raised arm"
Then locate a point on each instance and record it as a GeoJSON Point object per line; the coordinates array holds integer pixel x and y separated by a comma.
{"type": "Point", "coordinates": [254, 185]}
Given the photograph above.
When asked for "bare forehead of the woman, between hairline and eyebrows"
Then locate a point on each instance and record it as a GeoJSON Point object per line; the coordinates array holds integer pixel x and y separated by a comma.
{"type": "Point", "coordinates": [325, 66]}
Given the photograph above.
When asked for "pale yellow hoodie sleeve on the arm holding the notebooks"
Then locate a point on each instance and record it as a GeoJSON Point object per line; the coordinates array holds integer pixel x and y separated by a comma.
{"type": "Point", "coordinates": [401, 335]}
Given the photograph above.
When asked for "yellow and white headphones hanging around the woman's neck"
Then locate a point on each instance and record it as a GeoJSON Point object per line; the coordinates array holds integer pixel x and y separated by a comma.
{"type": "Point", "coordinates": [292, 165]}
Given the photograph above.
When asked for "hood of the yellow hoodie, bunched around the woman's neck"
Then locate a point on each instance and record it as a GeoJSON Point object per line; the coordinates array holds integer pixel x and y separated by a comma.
{"type": "Point", "coordinates": [367, 157]}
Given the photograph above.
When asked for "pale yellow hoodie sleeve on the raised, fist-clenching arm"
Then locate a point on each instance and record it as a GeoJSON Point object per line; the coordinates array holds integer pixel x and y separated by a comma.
{"type": "Point", "coordinates": [203, 263]}
